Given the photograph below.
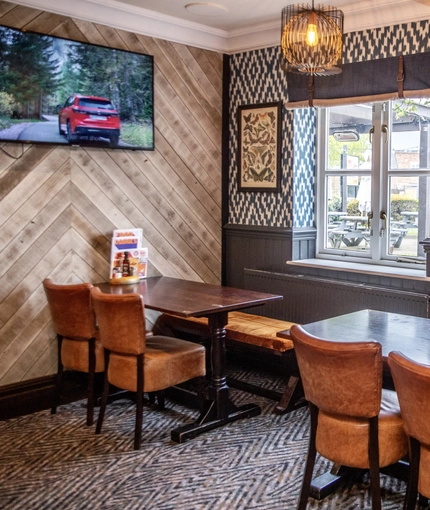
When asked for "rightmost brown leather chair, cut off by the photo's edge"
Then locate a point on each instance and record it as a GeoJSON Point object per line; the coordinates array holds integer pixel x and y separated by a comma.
{"type": "Point", "coordinates": [412, 383]}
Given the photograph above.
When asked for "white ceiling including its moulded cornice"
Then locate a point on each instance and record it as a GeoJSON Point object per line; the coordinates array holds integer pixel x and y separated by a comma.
{"type": "Point", "coordinates": [228, 26]}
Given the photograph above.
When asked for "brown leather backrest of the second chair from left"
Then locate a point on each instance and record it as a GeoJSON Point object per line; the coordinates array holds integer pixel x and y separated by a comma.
{"type": "Point", "coordinates": [121, 321]}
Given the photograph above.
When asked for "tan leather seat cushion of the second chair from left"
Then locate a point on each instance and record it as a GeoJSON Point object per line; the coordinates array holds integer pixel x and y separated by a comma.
{"type": "Point", "coordinates": [164, 364]}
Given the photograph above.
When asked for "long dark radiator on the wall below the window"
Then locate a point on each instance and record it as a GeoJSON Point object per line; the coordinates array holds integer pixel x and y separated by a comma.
{"type": "Point", "coordinates": [309, 298]}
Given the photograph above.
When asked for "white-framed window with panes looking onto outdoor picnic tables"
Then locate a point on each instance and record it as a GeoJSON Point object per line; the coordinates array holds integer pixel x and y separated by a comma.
{"type": "Point", "coordinates": [374, 181]}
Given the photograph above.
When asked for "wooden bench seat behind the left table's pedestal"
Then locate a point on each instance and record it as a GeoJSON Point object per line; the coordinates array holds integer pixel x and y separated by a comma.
{"type": "Point", "coordinates": [242, 327]}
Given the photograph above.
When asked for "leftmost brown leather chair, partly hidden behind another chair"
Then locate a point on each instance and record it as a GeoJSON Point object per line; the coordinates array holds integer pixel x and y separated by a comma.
{"type": "Point", "coordinates": [79, 346]}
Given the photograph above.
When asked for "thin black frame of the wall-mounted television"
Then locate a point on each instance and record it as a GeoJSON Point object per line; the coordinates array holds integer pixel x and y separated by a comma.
{"type": "Point", "coordinates": [90, 142]}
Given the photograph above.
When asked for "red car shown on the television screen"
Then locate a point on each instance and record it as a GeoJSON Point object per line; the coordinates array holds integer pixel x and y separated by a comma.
{"type": "Point", "coordinates": [89, 116]}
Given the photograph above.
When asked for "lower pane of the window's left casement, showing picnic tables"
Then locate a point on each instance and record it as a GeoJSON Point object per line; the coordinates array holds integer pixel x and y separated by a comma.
{"type": "Point", "coordinates": [348, 204]}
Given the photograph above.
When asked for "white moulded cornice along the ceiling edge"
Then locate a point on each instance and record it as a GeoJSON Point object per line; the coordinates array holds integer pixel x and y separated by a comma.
{"type": "Point", "coordinates": [358, 16]}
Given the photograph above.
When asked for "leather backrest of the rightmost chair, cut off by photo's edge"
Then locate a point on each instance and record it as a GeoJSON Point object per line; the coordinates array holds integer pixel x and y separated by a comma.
{"type": "Point", "coordinates": [412, 383]}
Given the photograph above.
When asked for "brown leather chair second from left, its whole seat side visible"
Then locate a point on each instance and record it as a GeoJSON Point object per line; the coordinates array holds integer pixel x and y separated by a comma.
{"type": "Point", "coordinates": [136, 363]}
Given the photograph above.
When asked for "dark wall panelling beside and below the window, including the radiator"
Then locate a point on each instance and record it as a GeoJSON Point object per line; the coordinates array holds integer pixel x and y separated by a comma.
{"type": "Point", "coordinates": [256, 259]}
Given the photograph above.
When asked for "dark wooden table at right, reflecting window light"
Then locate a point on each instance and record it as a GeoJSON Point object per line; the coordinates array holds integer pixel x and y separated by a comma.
{"type": "Point", "coordinates": [395, 332]}
